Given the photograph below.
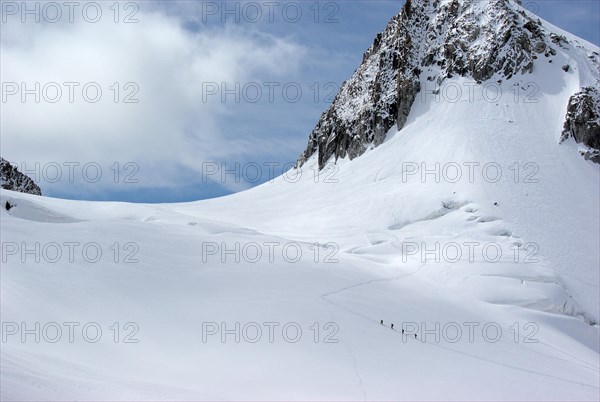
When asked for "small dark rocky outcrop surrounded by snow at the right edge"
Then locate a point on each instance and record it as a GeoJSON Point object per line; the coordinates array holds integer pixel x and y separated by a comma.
{"type": "Point", "coordinates": [582, 122]}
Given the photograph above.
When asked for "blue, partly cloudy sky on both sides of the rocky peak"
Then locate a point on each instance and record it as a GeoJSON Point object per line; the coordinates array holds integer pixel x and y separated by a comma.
{"type": "Point", "coordinates": [175, 101]}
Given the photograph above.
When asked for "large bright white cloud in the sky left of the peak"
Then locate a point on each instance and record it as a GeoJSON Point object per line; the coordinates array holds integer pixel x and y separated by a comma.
{"type": "Point", "coordinates": [156, 61]}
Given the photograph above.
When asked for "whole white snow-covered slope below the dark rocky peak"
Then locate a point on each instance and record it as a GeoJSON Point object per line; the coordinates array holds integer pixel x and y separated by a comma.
{"type": "Point", "coordinates": [498, 241]}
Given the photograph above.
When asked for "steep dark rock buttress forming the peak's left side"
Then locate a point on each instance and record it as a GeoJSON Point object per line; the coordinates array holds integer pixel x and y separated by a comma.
{"type": "Point", "coordinates": [379, 95]}
